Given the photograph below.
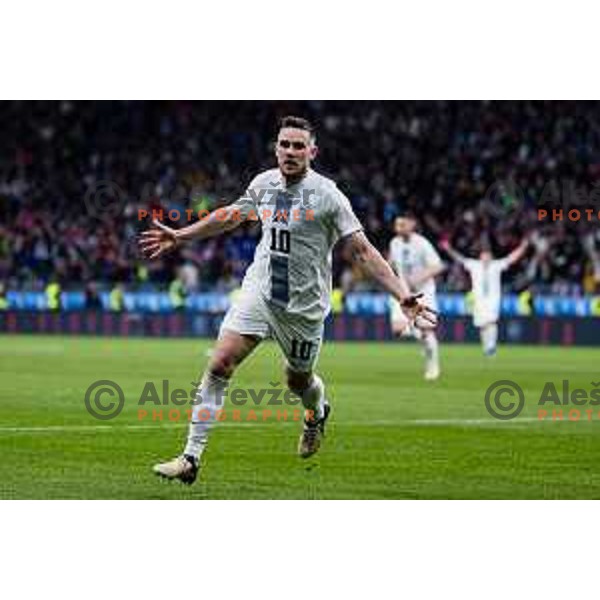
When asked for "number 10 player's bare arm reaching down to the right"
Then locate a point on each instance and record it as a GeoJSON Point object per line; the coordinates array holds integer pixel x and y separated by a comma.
{"type": "Point", "coordinates": [370, 261]}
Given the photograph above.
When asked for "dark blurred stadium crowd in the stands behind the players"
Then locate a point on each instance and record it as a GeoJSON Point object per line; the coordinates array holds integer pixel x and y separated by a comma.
{"type": "Point", "coordinates": [74, 174]}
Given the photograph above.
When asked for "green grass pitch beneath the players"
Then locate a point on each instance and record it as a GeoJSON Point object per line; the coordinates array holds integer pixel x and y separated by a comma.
{"type": "Point", "coordinates": [392, 435]}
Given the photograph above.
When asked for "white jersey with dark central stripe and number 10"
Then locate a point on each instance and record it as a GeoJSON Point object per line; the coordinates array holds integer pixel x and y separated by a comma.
{"type": "Point", "coordinates": [300, 225]}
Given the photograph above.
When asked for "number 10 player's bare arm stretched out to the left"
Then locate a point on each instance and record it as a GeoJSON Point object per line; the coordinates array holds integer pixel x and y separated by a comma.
{"type": "Point", "coordinates": [162, 239]}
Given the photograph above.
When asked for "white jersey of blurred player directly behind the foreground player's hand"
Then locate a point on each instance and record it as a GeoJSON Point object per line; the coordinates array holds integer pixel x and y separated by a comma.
{"type": "Point", "coordinates": [412, 256]}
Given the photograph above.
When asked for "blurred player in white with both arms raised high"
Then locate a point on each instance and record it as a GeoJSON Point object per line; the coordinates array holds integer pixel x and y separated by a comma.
{"type": "Point", "coordinates": [486, 286]}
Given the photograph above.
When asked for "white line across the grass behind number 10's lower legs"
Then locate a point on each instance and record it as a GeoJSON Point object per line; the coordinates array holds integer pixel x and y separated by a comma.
{"type": "Point", "coordinates": [366, 423]}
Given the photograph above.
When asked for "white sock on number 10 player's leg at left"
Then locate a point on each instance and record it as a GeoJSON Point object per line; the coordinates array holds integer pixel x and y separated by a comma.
{"type": "Point", "coordinates": [210, 398]}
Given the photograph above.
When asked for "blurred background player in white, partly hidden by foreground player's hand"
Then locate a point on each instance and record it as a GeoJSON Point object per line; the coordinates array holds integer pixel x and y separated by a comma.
{"type": "Point", "coordinates": [414, 257]}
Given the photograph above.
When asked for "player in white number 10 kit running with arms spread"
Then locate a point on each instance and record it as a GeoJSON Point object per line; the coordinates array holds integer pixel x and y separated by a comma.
{"type": "Point", "coordinates": [286, 291]}
